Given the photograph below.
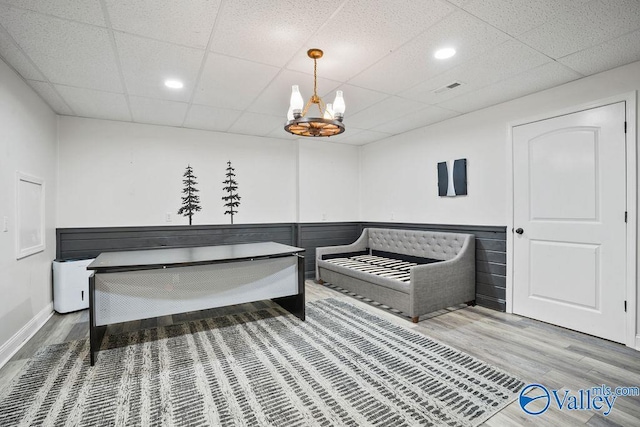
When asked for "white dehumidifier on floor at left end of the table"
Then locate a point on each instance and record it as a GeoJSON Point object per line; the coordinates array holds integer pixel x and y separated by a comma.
{"type": "Point", "coordinates": [71, 285]}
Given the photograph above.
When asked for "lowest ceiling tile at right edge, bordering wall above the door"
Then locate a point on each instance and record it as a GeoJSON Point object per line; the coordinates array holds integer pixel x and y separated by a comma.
{"type": "Point", "coordinates": [614, 53]}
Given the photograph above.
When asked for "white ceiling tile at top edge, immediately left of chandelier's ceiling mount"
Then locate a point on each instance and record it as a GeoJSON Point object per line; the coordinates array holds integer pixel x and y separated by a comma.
{"type": "Point", "coordinates": [268, 31]}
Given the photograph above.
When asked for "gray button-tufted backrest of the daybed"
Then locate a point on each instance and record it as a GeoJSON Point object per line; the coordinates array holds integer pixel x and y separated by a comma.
{"type": "Point", "coordinates": [425, 244]}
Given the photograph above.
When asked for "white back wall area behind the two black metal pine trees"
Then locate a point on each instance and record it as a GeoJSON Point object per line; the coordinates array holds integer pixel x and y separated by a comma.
{"type": "Point", "coordinates": [125, 174]}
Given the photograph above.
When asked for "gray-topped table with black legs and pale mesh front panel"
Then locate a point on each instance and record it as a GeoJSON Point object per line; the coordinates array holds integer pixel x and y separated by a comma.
{"type": "Point", "coordinates": [135, 285]}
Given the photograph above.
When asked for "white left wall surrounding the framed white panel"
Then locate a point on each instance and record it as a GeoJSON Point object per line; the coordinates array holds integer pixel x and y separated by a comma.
{"type": "Point", "coordinates": [27, 144]}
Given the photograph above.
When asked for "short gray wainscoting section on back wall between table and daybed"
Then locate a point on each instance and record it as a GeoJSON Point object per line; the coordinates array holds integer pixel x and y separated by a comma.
{"type": "Point", "coordinates": [319, 234]}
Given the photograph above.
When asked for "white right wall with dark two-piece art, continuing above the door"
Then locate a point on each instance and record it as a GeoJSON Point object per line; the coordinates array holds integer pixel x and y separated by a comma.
{"type": "Point", "coordinates": [399, 174]}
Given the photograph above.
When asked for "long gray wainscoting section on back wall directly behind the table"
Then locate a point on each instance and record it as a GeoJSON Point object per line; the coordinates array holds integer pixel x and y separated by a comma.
{"type": "Point", "coordinates": [90, 242]}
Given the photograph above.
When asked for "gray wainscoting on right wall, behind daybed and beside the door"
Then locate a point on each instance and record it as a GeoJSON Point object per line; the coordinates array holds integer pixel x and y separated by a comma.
{"type": "Point", "coordinates": [491, 257]}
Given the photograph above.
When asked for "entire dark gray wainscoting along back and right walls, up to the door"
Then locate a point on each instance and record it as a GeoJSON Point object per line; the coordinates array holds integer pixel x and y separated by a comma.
{"type": "Point", "coordinates": [491, 257]}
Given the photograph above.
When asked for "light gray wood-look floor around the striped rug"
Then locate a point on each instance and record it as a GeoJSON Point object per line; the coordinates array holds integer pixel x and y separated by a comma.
{"type": "Point", "coordinates": [533, 351]}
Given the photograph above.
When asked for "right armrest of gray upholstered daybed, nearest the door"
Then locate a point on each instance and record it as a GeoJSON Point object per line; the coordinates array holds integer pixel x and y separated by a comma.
{"type": "Point", "coordinates": [442, 284]}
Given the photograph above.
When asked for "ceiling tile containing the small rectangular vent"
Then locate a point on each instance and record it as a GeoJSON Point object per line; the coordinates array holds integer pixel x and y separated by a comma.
{"type": "Point", "coordinates": [507, 60]}
